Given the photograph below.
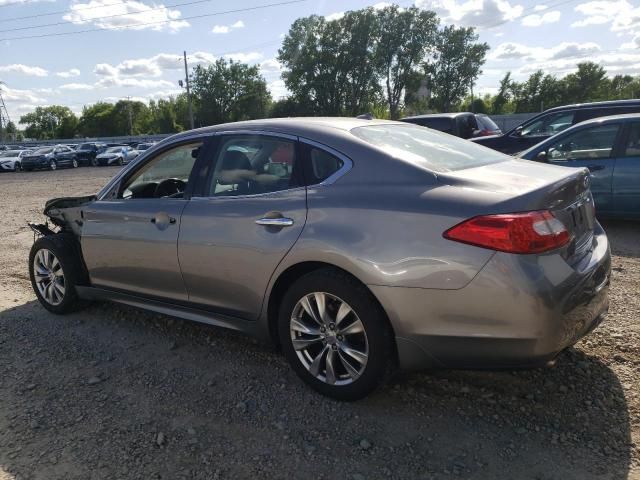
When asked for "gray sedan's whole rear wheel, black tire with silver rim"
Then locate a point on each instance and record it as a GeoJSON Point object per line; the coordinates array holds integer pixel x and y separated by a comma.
{"type": "Point", "coordinates": [335, 335]}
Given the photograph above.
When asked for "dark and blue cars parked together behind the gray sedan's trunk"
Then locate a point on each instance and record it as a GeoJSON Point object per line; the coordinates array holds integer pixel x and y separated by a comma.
{"type": "Point", "coordinates": [604, 137]}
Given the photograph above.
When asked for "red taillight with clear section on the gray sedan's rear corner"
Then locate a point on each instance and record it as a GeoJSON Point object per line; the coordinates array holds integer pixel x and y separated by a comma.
{"type": "Point", "coordinates": [529, 232]}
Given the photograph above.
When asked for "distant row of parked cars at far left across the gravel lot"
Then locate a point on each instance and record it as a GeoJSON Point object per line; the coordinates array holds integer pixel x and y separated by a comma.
{"type": "Point", "coordinates": [15, 158]}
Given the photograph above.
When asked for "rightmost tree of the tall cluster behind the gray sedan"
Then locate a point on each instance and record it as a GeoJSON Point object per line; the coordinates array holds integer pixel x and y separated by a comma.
{"type": "Point", "coordinates": [455, 66]}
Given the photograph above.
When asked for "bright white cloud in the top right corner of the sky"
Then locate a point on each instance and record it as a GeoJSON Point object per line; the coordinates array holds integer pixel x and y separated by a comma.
{"type": "Point", "coordinates": [621, 14]}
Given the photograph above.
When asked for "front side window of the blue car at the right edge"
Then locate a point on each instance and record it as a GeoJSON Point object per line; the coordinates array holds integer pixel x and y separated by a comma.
{"type": "Point", "coordinates": [589, 143]}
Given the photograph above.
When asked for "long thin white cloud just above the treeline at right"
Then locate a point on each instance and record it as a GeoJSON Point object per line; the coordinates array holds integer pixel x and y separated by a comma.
{"type": "Point", "coordinates": [511, 50]}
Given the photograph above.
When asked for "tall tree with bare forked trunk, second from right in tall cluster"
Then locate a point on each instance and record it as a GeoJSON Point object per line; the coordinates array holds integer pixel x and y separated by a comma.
{"type": "Point", "coordinates": [406, 37]}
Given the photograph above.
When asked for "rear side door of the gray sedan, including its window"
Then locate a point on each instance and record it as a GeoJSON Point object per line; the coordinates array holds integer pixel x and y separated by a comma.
{"type": "Point", "coordinates": [250, 212]}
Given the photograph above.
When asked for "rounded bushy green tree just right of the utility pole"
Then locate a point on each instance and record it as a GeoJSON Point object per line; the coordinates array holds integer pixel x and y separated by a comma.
{"type": "Point", "coordinates": [229, 91]}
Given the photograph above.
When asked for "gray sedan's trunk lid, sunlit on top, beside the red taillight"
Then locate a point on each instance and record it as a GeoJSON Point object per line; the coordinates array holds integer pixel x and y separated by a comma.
{"type": "Point", "coordinates": [523, 185]}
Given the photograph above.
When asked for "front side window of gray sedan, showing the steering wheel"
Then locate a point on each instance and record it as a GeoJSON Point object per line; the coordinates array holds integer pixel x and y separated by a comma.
{"type": "Point", "coordinates": [164, 176]}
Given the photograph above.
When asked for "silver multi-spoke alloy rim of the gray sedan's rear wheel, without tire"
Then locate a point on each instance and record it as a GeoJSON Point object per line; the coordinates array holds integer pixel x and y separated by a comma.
{"type": "Point", "coordinates": [329, 338]}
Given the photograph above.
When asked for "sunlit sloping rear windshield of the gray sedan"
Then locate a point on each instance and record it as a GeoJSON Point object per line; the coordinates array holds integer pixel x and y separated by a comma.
{"type": "Point", "coordinates": [428, 148]}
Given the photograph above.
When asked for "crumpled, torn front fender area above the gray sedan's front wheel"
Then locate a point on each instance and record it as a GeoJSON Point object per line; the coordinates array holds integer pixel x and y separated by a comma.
{"type": "Point", "coordinates": [65, 214]}
